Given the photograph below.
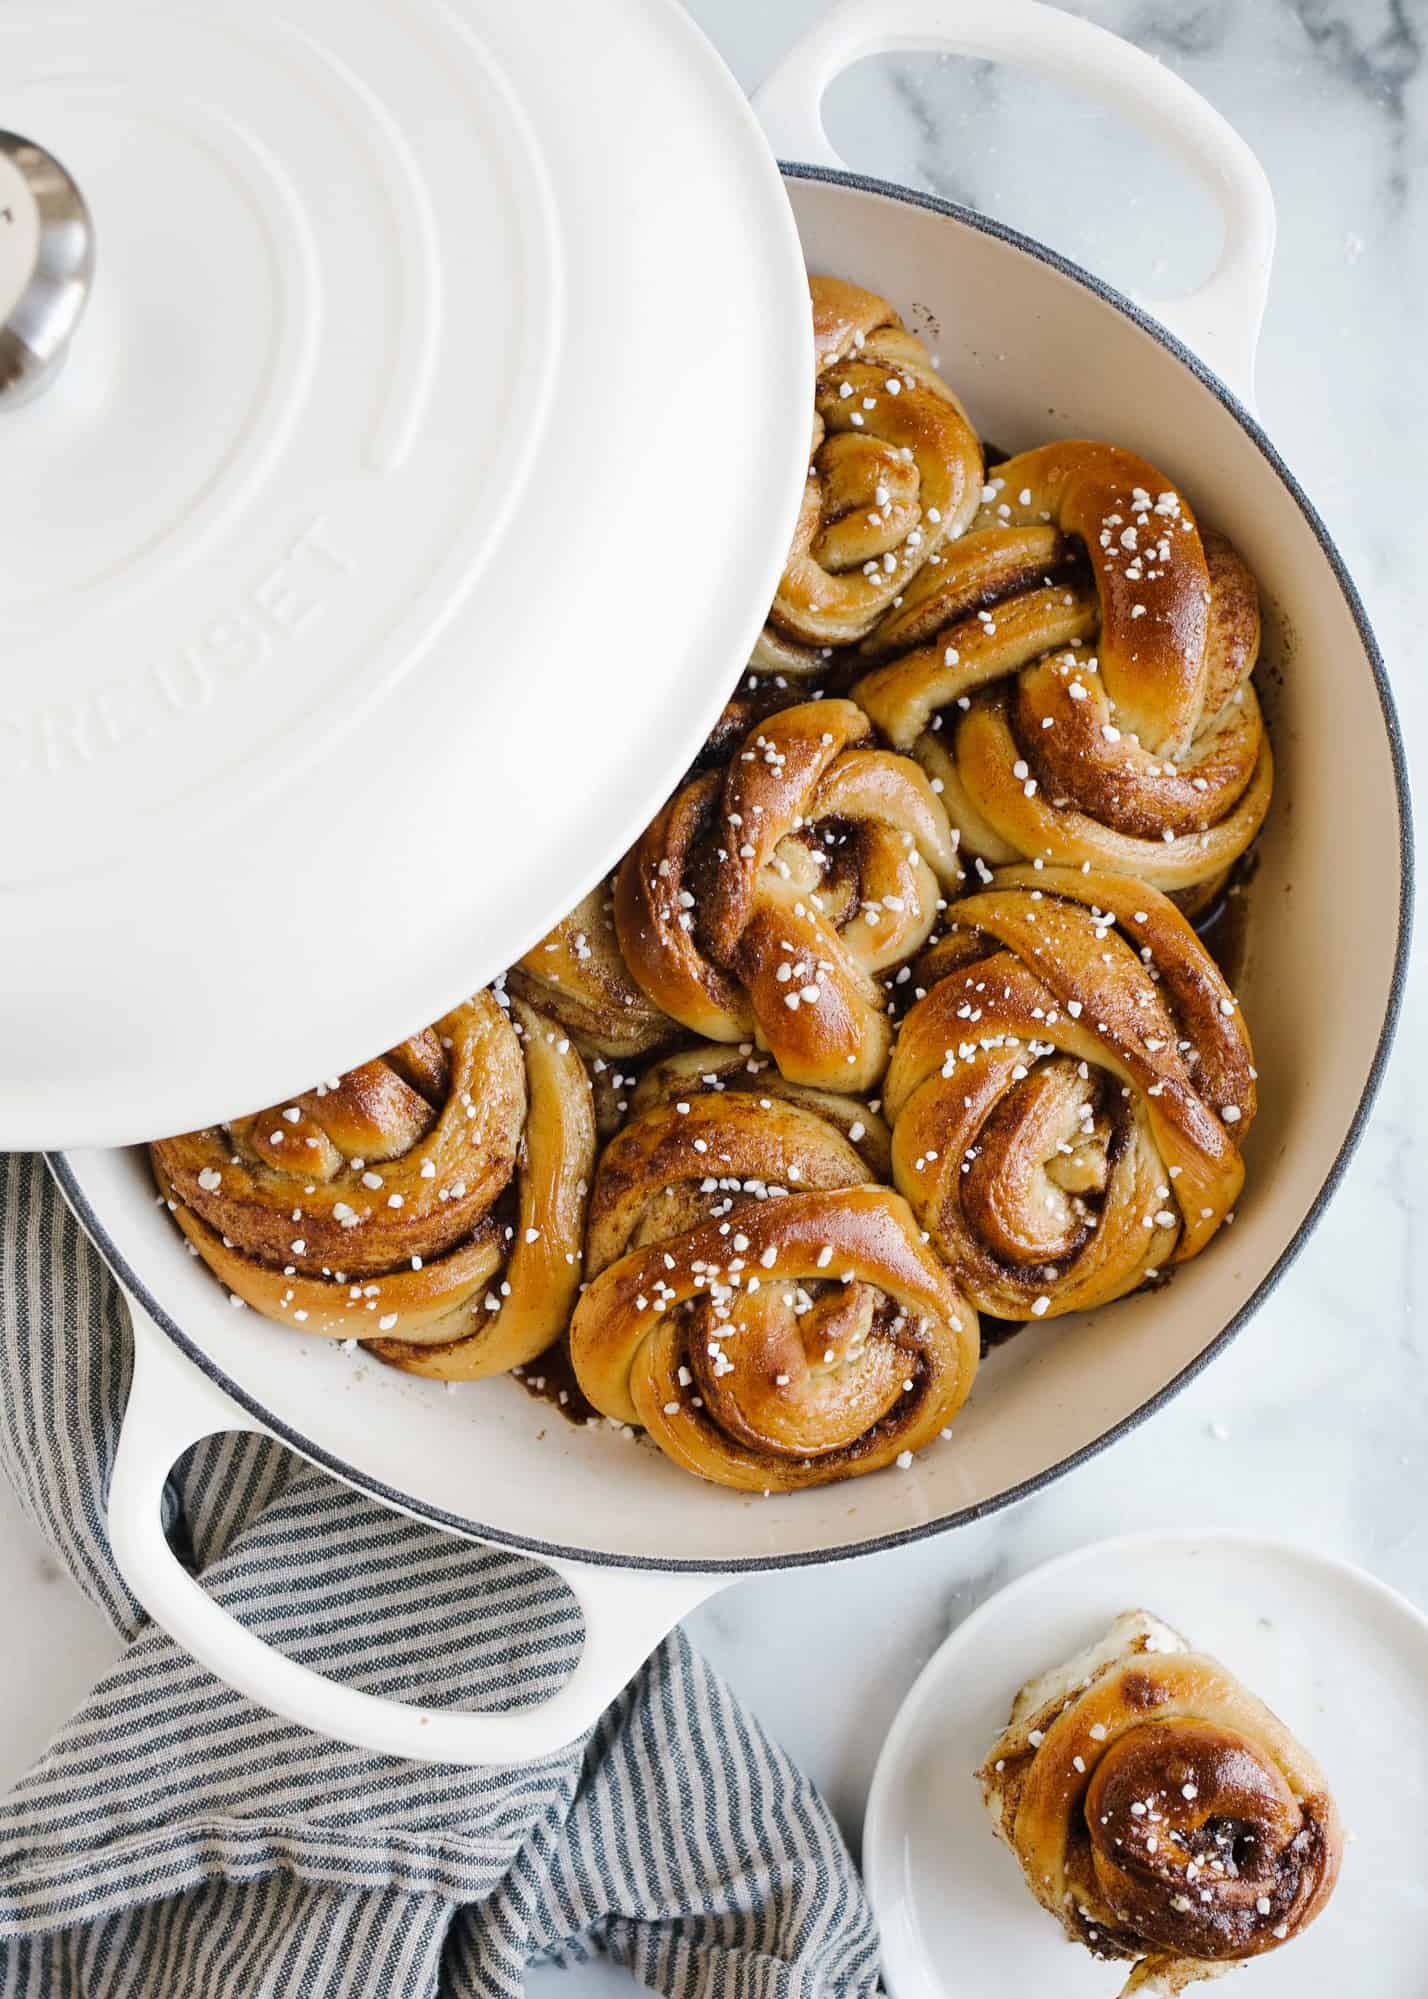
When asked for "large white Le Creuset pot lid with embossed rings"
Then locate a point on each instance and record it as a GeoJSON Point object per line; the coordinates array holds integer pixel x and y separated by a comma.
{"type": "Point", "coordinates": [409, 501]}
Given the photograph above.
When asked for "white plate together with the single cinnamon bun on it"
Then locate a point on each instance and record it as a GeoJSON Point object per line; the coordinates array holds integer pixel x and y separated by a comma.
{"type": "Point", "coordinates": [1155, 1762]}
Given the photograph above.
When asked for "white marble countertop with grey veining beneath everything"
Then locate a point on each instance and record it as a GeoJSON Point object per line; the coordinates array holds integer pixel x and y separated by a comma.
{"type": "Point", "coordinates": [1315, 1424]}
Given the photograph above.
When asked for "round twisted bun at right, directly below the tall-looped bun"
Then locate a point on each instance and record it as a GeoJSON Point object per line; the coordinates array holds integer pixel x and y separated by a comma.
{"type": "Point", "coordinates": [1071, 1094]}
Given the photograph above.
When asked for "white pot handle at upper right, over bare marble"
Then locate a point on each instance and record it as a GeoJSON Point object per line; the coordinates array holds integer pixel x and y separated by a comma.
{"type": "Point", "coordinates": [1223, 319]}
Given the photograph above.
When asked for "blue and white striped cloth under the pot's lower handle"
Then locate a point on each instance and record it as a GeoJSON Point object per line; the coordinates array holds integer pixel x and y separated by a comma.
{"type": "Point", "coordinates": [179, 1840]}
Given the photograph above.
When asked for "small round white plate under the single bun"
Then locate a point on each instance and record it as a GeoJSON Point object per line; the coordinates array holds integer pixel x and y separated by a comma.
{"type": "Point", "coordinates": [1339, 1656]}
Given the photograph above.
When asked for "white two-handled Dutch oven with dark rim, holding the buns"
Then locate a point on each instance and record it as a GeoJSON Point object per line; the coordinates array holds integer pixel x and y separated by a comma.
{"type": "Point", "coordinates": [1037, 349]}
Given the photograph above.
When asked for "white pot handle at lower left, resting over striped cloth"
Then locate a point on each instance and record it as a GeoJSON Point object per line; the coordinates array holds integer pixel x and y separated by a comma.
{"type": "Point", "coordinates": [171, 1406]}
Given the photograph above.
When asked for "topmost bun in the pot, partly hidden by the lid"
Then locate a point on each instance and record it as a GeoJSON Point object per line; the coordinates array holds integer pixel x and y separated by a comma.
{"type": "Point", "coordinates": [895, 471]}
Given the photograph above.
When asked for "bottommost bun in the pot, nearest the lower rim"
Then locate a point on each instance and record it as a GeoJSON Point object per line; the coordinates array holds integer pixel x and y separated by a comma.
{"type": "Point", "coordinates": [767, 1314]}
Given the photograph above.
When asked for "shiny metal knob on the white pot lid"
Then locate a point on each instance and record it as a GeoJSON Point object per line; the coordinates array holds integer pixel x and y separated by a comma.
{"type": "Point", "coordinates": [47, 263]}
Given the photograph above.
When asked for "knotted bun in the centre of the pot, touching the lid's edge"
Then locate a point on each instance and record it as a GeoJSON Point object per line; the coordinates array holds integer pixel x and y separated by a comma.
{"type": "Point", "coordinates": [767, 901]}
